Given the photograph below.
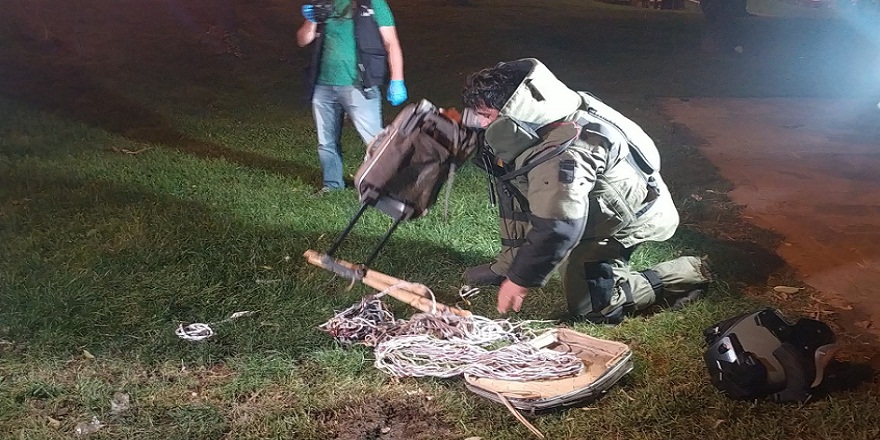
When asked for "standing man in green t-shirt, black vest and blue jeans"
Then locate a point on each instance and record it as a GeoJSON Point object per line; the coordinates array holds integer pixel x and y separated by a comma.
{"type": "Point", "coordinates": [355, 47]}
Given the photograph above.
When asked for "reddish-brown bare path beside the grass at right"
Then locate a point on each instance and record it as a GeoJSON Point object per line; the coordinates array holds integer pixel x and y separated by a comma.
{"type": "Point", "coordinates": [808, 169]}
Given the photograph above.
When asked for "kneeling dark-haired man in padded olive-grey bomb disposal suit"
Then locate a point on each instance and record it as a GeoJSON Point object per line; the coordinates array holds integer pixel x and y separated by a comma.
{"type": "Point", "coordinates": [579, 188]}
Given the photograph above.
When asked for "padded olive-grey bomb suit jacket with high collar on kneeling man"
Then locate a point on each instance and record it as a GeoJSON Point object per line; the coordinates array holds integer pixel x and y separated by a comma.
{"type": "Point", "coordinates": [591, 190]}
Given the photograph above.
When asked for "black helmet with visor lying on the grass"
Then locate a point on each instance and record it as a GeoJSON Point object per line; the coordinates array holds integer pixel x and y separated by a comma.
{"type": "Point", "coordinates": [760, 354]}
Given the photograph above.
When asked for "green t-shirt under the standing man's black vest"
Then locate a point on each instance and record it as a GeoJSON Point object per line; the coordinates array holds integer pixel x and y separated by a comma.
{"type": "Point", "coordinates": [339, 56]}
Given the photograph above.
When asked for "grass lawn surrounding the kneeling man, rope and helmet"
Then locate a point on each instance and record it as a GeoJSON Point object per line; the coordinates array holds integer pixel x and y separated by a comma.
{"type": "Point", "coordinates": [146, 180]}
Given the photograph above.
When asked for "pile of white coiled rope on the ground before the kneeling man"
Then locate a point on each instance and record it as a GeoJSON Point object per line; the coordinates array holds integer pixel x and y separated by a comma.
{"type": "Point", "coordinates": [446, 345]}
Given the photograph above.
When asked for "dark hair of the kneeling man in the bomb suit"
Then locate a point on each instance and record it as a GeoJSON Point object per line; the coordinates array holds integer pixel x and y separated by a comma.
{"type": "Point", "coordinates": [492, 87]}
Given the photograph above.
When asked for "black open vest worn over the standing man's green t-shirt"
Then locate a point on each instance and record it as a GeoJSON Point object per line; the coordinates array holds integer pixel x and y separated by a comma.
{"type": "Point", "coordinates": [372, 61]}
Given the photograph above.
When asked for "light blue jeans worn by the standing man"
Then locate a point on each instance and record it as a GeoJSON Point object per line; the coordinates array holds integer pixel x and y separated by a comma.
{"type": "Point", "coordinates": [364, 108]}
